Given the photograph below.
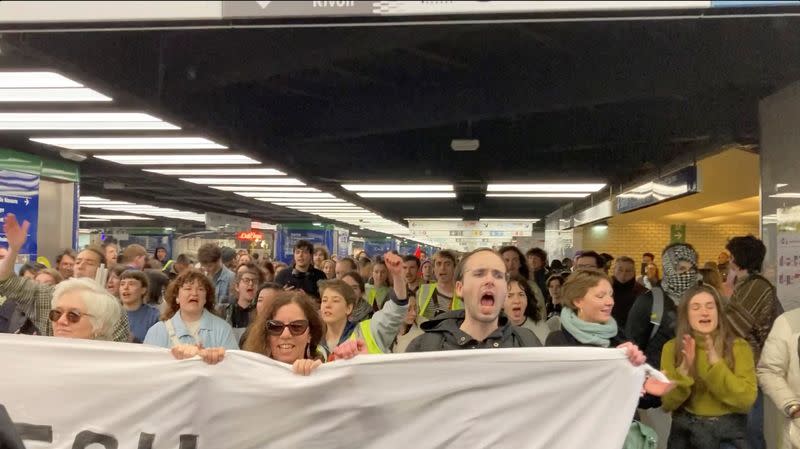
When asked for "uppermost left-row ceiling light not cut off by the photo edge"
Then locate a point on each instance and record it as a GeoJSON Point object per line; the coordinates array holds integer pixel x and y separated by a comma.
{"type": "Point", "coordinates": [130, 143]}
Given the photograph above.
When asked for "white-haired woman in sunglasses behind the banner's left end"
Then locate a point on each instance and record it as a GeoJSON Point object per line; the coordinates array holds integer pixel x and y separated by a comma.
{"type": "Point", "coordinates": [83, 309]}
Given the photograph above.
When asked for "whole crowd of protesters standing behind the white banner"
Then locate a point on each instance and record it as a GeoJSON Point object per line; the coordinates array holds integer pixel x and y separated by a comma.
{"type": "Point", "coordinates": [716, 331]}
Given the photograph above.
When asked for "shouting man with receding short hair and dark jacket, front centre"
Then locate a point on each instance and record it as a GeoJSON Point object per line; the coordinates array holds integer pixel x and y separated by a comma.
{"type": "Point", "coordinates": [482, 280]}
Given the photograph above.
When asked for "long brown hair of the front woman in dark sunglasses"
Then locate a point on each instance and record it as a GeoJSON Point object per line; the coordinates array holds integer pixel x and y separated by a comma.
{"type": "Point", "coordinates": [257, 338]}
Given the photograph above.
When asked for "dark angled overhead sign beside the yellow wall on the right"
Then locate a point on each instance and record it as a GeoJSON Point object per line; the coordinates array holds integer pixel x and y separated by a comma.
{"type": "Point", "coordinates": [671, 186]}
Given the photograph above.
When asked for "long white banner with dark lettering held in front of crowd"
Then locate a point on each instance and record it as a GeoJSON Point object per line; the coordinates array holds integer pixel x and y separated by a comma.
{"type": "Point", "coordinates": [71, 394]}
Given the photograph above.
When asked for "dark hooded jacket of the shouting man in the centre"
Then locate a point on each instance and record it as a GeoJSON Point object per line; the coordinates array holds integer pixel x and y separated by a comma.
{"type": "Point", "coordinates": [443, 333]}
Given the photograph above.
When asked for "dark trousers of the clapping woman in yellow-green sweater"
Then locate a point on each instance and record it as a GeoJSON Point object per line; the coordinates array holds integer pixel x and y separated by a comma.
{"type": "Point", "coordinates": [699, 432]}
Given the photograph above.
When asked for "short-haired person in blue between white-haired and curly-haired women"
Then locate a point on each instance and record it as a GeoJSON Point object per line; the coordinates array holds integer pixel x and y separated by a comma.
{"type": "Point", "coordinates": [133, 289]}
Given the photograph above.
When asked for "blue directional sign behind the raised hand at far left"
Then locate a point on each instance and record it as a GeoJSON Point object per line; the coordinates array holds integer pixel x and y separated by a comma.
{"type": "Point", "coordinates": [19, 195]}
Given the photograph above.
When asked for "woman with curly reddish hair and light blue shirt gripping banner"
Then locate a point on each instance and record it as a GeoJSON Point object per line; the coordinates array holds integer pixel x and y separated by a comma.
{"type": "Point", "coordinates": [188, 324]}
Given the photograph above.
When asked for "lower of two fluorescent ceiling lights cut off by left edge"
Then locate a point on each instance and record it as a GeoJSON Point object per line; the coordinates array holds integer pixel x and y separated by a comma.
{"type": "Point", "coordinates": [81, 120]}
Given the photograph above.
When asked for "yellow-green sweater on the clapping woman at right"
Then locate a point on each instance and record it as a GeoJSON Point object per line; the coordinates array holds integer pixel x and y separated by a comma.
{"type": "Point", "coordinates": [717, 390]}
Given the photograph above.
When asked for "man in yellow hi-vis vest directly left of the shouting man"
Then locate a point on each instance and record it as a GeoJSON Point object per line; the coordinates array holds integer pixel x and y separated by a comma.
{"type": "Point", "coordinates": [440, 296]}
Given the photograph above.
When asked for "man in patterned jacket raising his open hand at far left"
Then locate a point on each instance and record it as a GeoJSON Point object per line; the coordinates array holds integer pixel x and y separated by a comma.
{"type": "Point", "coordinates": [35, 298]}
